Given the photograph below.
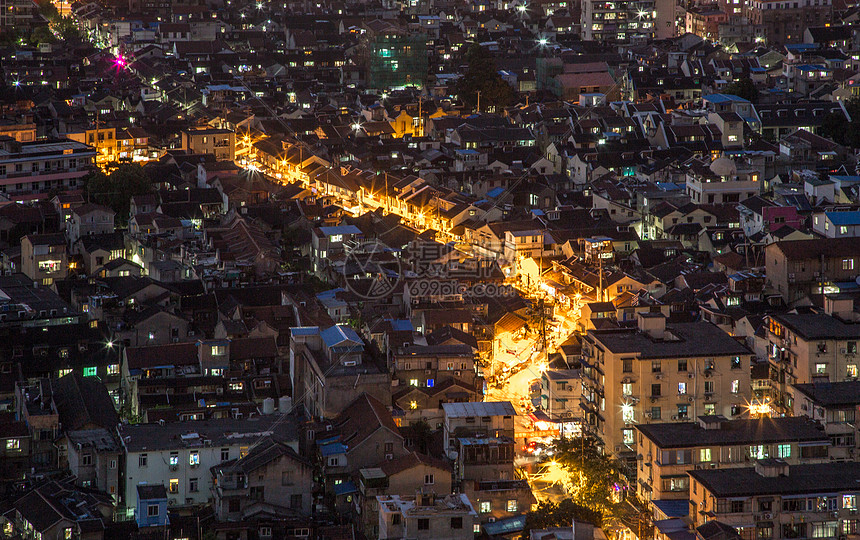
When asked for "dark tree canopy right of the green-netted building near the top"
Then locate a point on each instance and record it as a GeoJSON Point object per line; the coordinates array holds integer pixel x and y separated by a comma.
{"type": "Point", "coordinates": [483, 76]}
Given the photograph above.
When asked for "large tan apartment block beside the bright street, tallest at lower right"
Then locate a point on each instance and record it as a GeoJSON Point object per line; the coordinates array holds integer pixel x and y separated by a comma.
{"type": "Point", "coordinates": [659, 373]}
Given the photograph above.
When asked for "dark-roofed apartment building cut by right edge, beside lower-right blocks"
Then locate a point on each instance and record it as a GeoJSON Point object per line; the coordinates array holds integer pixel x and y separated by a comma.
{"type": "Point", "coordinates": [835, 405]}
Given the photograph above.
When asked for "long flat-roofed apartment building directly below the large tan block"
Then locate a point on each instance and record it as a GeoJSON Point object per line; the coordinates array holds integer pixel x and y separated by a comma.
{"type": "Point", "coordinates": [670, 450]}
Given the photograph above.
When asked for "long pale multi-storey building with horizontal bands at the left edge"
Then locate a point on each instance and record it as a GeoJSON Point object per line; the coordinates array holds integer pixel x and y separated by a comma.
{"type": "Point", "coordinates": [35, 168]}
